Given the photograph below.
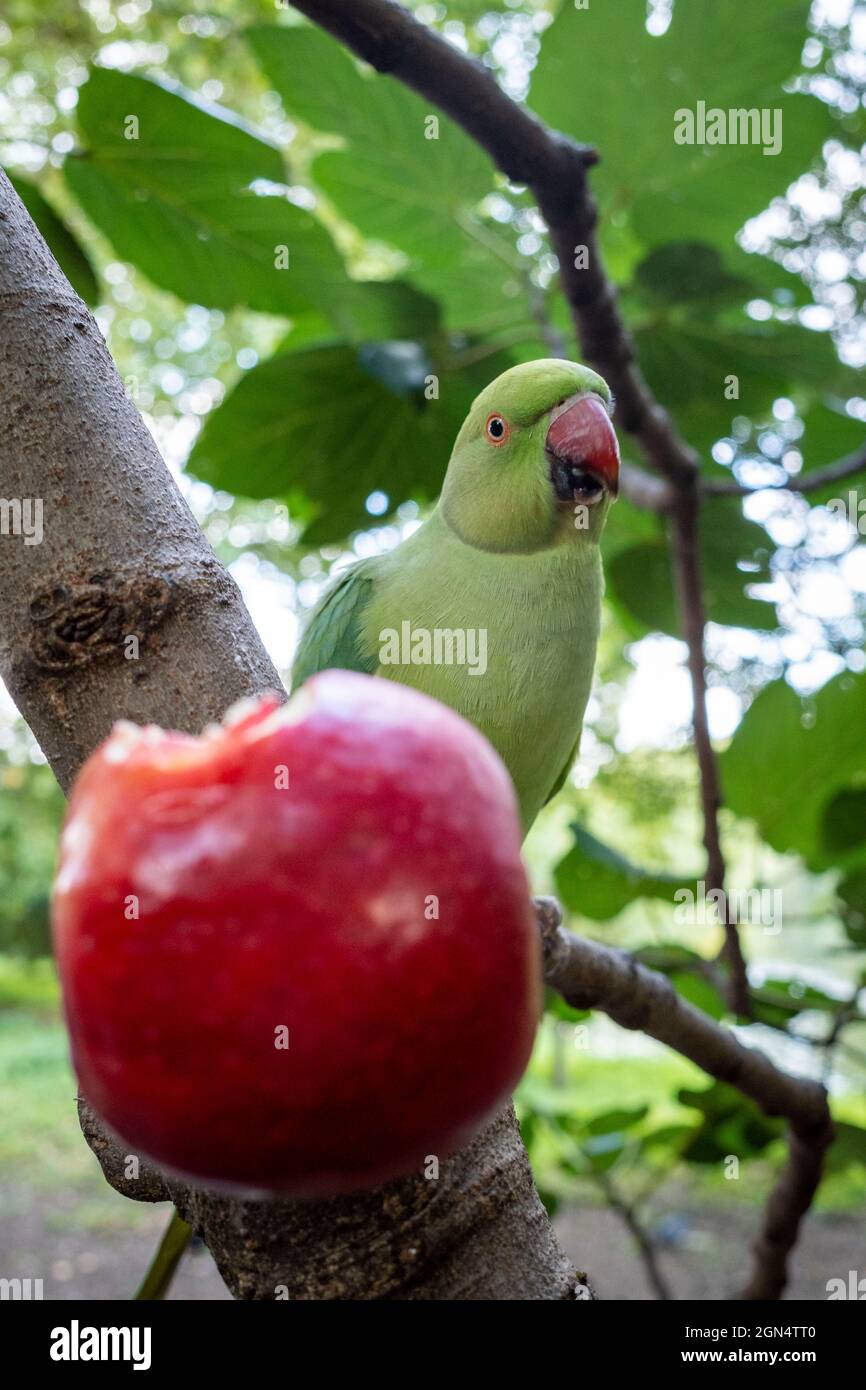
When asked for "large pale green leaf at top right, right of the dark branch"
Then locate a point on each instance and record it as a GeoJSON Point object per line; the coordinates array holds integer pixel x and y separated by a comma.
{"type": "Point", "coordinates": [718, 52]}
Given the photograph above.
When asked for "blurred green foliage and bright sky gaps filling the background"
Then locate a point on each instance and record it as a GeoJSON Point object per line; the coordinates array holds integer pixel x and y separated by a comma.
{"type": "Point", "coordinates": [305, 275]}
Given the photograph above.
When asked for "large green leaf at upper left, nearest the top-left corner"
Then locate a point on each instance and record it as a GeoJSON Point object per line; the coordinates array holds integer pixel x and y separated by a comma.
{"type": "Point", "coordinates": [179, 202]}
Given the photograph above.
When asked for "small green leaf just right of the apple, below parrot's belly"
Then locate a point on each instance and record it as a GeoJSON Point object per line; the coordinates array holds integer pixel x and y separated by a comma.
{"type": "Point", "coordinates": [598, 883]}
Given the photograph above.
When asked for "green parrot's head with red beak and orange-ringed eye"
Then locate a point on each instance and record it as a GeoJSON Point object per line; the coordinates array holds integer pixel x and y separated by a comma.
{"type": "Point", "coordinates": [536, 462]}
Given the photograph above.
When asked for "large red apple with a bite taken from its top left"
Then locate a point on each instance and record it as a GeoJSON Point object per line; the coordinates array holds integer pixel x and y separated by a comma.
{"type": "Point", "coordinates": [201, 907]}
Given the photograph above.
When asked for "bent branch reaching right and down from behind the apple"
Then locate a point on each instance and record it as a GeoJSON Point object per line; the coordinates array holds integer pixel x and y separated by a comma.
{"type": "Point", "coordinates": [593, 976]}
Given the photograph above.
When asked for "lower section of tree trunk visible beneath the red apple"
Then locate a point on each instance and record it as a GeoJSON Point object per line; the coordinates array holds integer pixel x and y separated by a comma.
{"type": "Point", "coordinates": [477, 1232]}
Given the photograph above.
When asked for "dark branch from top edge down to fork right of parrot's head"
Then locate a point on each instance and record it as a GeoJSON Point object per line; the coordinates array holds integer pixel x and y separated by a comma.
{"type": "Point", "coordinates": [555, 167]}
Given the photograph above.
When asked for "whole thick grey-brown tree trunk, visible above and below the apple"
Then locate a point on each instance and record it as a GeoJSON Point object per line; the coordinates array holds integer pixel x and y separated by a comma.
{"type": "Point", "coordinates": [123, 558]}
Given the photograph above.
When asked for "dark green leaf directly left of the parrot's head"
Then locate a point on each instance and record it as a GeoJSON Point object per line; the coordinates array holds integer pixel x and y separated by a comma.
{"type": "Point", "coordinates": [330, 426]}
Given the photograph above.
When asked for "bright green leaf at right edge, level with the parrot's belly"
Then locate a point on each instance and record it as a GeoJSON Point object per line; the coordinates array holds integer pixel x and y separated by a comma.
{"type": "Point", "coordinates": [787, 760]}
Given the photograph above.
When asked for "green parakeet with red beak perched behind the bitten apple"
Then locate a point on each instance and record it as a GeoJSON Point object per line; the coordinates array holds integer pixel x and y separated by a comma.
{"type": "Point", "coordinates": [494, 604]}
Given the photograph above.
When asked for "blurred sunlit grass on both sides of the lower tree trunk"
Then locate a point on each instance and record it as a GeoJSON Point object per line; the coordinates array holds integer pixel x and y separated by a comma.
{"type": "Point", "coordinates": [42, 1150]}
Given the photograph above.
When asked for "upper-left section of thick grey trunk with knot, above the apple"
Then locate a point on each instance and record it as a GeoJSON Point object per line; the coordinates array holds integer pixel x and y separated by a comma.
{"type": "Point", "coordinates": [123, 611]}
